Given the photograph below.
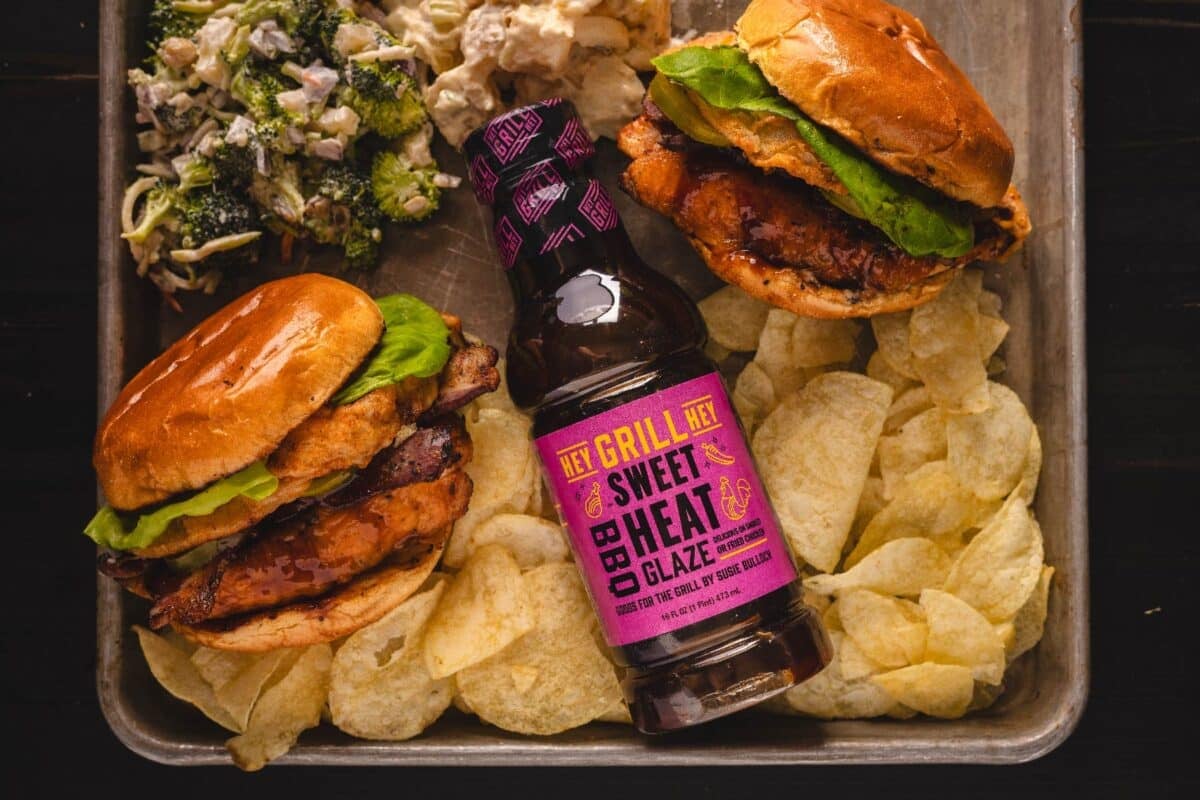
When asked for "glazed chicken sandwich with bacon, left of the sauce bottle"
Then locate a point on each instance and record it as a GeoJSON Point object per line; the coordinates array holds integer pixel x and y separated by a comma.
{"type": "Point", "coordinates": [290, 471]}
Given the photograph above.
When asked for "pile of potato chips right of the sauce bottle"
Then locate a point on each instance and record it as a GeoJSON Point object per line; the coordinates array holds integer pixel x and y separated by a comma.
{"type": "Point", "coordinates": [904, 492]}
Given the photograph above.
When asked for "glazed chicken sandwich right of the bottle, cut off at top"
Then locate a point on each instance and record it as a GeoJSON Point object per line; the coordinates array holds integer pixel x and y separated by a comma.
{"type": "Point", "coordinates": [827, 158]}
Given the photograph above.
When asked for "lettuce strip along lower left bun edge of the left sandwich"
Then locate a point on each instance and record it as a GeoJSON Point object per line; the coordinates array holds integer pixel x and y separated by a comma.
{"type": "Point", "coordinates": [109, 530]}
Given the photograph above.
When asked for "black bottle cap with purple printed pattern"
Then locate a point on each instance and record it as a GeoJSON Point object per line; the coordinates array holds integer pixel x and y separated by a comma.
{"type": "Point", "coordinates": [502, 152]}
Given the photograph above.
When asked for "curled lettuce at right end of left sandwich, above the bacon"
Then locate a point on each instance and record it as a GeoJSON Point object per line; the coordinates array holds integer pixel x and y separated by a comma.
{"type": "Point", "coordinates": [416, 344]}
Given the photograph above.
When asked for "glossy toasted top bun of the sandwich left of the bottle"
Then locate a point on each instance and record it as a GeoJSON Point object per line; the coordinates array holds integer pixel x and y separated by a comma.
{"type": "Point", "coordinates": [230, 392]}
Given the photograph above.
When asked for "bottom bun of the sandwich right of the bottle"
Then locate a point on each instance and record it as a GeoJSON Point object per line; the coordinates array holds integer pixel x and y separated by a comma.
{"type": "Point", "coordinates": [787, 288]}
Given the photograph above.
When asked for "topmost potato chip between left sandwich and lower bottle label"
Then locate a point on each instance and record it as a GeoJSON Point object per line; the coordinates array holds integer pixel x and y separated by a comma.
{"type": "Point", "coordinates": [484, 610]}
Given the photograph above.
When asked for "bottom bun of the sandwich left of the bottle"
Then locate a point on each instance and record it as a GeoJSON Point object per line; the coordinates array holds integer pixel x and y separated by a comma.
{"type": "Point", "coordinates": [340, 613]}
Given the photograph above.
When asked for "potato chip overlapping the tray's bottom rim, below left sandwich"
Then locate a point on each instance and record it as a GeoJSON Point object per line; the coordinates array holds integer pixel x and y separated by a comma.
{"type": "Point", "coordinates": [285, 711]}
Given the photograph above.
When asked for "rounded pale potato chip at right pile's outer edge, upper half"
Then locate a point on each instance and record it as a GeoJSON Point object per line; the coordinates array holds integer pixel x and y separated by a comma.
{"type": "Point", "coordinates": [988, 452]}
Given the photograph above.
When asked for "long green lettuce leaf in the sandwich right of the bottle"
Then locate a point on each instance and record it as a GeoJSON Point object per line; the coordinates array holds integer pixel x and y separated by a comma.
{"type": "Point", "coordinates": [919, 220]}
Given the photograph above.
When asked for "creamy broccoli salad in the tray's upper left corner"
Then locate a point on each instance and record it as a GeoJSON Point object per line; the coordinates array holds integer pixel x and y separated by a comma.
{"type": "Point", "coordinates": [298, 117]}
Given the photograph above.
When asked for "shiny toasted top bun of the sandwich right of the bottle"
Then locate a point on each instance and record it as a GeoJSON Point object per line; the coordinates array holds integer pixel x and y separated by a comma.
{"type": "Point", "coordinates": [873, 74]}
